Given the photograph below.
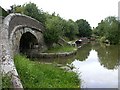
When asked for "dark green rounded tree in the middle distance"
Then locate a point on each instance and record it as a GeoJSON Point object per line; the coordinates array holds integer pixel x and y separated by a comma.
{"type": "Point", "coordinates": [84, 28]}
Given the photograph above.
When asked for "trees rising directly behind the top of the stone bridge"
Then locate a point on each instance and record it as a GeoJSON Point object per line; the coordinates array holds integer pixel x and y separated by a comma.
{"type": "Point", "coordinates": [29, 9]}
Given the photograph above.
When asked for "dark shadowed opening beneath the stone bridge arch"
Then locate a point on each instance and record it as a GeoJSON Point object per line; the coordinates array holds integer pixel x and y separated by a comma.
{"type": "Point", "coordinates": [27, 43]}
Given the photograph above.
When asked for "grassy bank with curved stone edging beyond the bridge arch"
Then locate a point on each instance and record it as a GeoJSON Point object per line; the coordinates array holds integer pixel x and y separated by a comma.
{"type": "Point", "coordinates": [58, 51]}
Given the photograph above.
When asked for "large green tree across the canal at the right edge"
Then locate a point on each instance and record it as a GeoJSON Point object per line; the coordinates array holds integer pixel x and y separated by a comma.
{"type": "Point", "coordinates": [108, 29]}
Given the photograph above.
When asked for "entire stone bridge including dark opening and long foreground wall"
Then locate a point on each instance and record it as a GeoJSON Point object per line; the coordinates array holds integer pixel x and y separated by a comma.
{"type": "Point", "coordinates": [19, 33]}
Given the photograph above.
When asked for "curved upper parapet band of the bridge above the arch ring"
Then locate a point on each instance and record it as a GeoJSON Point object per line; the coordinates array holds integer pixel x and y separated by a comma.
{"type": "Point", "coordinates": [16, 19]}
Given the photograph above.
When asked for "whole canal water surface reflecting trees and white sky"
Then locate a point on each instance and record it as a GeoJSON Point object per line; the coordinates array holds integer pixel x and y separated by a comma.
{"type": "Point", "coordinates": [96, 65]}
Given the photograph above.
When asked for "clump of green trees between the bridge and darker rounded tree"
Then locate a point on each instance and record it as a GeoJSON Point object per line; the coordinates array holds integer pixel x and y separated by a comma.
{"type": "Point", "coordinates": [57, 27]}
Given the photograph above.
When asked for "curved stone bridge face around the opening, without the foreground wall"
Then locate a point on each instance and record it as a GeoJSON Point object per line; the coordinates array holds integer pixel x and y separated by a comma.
{"type": "Point", "coordinates": [19, 24]}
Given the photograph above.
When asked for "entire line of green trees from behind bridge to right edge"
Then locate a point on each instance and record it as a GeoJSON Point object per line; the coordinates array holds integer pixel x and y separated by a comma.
{"type": "Point", "coordinates": [56, 27]}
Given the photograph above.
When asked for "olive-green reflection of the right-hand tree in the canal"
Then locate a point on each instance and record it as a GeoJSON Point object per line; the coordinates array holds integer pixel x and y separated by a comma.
{"type": "Point", "coordinates": [109, 56]}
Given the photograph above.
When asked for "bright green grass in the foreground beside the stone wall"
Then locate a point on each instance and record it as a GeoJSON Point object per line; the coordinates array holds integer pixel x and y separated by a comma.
{"type": "Point", "coordinates": [39, 75]}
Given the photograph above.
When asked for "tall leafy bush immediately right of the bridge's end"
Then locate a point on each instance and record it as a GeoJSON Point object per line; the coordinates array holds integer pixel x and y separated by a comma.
{"type": "Point", "coordinates": [53, 30]}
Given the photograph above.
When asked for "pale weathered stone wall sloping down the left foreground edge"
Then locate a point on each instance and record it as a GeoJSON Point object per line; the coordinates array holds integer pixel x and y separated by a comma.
{"type": "Point", "coordinates": [6, 57]}
